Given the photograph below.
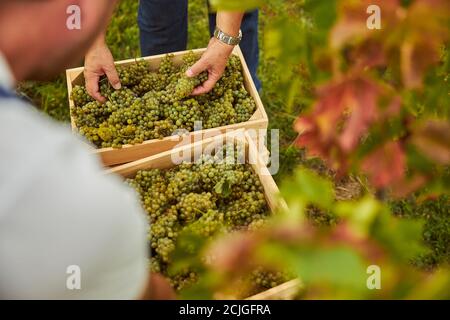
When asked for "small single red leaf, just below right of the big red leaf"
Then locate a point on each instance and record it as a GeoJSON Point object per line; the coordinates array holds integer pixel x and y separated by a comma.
{"type": "Point", "coordinates": [386, 165]}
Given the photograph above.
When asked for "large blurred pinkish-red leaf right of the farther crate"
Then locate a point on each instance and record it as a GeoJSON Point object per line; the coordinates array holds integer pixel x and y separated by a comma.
{"type": "Point", "coordinates": [342, 115]}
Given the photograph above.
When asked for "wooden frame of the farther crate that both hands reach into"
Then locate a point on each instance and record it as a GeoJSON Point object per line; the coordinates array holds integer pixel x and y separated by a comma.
{"type": "Point", "coordinates": [128, 153]}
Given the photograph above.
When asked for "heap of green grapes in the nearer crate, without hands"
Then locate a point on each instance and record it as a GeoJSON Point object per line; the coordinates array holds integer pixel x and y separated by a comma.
{"type": "Point", "coordinates": [205, 198]}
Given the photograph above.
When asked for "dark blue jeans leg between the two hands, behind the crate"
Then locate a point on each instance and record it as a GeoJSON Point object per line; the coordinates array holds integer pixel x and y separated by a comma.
{"type": "Point", "coordinates": [162, 26]}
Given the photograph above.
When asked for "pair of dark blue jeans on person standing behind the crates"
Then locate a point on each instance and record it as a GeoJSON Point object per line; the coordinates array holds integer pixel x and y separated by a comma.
{"type": "Point", "coordinates": [163, 29]}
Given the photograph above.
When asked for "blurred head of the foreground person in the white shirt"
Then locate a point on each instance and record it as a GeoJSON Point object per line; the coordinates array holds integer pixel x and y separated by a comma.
{"type": "Point", "coordinates": [38, 37]}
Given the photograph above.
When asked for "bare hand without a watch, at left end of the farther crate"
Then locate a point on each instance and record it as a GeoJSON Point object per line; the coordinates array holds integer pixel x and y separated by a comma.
{"type": "Point", "coordinates": [99, 61]}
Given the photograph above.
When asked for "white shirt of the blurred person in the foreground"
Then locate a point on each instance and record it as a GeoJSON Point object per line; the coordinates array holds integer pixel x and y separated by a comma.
{"type": "Point", "coordinates": [57, 209]}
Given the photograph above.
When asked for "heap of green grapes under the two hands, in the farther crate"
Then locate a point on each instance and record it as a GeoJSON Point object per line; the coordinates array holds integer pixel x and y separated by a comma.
{"type": "Point", "coordinates": [155, 104]}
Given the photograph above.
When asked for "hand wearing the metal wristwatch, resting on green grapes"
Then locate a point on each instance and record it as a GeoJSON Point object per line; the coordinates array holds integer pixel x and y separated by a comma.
{"type": "Point", "coordinates": [214, 60]}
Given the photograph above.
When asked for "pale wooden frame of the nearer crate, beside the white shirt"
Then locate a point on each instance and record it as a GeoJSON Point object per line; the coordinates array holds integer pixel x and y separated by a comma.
{"type": "Point", "coordinates": [271, 191]}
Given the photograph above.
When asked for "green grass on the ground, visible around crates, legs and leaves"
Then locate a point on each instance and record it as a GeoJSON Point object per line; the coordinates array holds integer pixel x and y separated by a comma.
{"type": "Point", "coordinates": [123, 38]}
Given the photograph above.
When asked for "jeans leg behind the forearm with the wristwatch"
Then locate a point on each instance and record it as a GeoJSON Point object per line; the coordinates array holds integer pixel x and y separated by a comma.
{"type": "Point", "coordinates": [249, 43]}
